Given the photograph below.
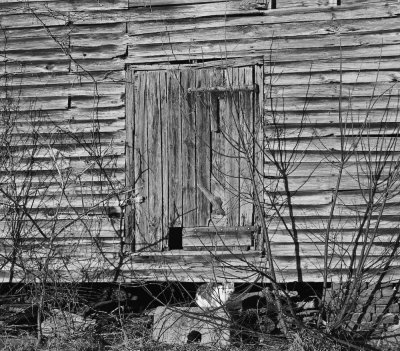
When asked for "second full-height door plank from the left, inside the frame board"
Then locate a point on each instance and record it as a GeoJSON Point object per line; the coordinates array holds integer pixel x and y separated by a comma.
{"type": "Point", "coordinates": [154, 161]}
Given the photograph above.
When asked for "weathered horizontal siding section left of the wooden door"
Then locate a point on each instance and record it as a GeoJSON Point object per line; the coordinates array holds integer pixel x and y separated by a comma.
{"type": "Point", "coordinates": [58, 58]}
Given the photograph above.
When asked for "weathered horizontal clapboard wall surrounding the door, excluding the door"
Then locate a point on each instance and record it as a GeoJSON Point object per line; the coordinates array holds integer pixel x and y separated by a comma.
{"type": "Point", "coordinates": [70, 59]}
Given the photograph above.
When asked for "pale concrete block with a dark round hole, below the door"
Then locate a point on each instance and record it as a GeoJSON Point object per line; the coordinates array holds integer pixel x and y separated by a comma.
{"type": "Point", "coordinates": [191, 324]}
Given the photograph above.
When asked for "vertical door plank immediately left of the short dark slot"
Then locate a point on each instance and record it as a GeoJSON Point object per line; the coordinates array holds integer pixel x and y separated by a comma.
{"type": "Point", "coordinates": [203, 148]}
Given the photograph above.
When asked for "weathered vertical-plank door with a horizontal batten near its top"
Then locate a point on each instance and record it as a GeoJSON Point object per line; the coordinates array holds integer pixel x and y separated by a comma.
{"type": "Point", "coordinates": [193, 145]}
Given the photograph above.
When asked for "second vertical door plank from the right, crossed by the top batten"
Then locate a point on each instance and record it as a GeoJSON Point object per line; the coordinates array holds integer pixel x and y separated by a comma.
{"type": "Point", "coordinates": [232, 148]}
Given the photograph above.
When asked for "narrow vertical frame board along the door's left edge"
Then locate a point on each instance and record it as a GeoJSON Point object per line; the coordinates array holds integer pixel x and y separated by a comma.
{"type": "Point", "coordinates": [129, 163]}
